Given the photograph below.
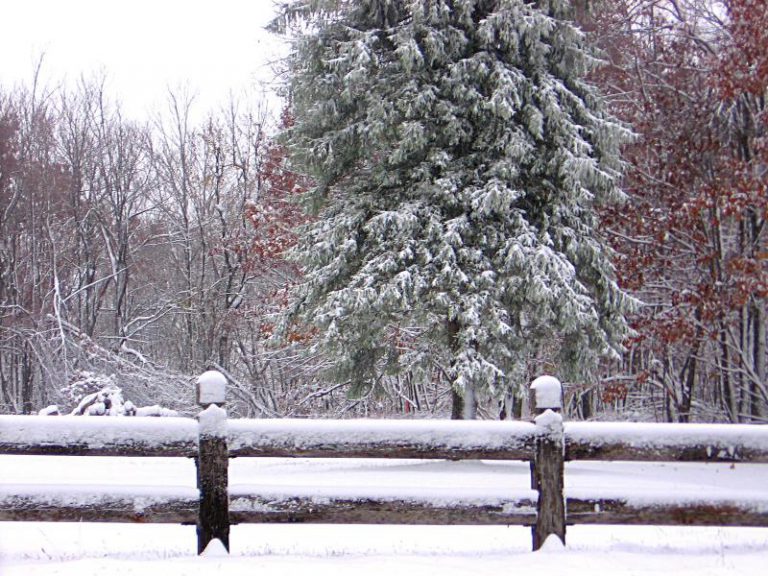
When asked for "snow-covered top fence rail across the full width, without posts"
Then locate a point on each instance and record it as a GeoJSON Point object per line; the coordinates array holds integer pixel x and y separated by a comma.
{"type": "Point", "coordinates": [424, 439]}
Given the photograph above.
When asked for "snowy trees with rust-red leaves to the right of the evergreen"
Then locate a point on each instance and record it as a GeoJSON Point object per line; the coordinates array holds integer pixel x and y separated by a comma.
{"type": "Point", "coordinates": [691, 79]}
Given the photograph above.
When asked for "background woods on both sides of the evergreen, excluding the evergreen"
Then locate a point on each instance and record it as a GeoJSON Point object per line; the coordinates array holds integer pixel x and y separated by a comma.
{"type": "Point", "coordinates": [136, 255]}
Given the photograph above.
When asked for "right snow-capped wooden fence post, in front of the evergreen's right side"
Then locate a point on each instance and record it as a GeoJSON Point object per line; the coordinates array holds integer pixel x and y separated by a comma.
{"type": "Point", "coordinates": [547, 466]}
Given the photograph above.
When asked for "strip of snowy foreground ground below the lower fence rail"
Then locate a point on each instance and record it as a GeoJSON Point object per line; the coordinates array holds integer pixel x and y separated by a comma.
{"type": "Point", "coordinates": [78, 550]}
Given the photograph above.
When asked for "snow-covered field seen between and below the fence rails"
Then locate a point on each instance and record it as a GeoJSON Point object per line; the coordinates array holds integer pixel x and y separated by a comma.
{"type": "Point", "coordinates": [33, 549]}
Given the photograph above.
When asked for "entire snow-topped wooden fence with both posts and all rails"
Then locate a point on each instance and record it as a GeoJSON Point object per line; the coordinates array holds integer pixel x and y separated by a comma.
{"type": "Point", "coordinates": [212, 440]}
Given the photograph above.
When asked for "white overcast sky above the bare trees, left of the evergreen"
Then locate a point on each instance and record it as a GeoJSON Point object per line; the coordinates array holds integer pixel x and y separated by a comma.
{"type": "Point", "coordinates": [212, 47]}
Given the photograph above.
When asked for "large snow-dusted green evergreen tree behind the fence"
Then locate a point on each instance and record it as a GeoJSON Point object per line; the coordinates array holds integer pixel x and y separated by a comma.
{"type": "Point", "coordinates": [459, 157]}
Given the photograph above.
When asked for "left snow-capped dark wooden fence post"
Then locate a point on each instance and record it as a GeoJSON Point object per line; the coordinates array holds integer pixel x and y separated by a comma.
{"type": "Point", "coordinates": [212, 461]}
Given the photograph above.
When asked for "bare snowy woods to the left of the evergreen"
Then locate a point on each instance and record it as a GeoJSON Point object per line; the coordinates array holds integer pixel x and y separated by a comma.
{"type": "Point", "coordinates": [145, 251]}
